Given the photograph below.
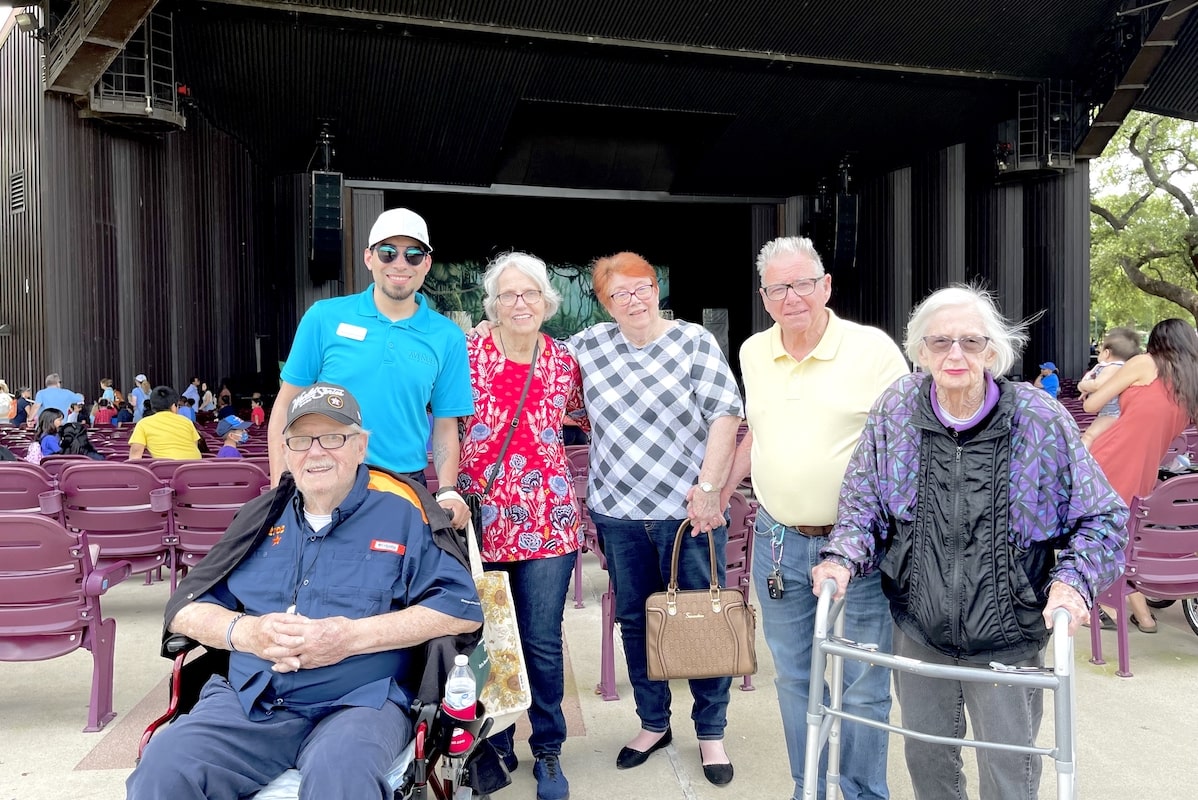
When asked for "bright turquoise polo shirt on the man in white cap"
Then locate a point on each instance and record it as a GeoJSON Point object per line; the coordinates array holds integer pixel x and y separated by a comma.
{"type": "Point", "coordinates": [398, 372]}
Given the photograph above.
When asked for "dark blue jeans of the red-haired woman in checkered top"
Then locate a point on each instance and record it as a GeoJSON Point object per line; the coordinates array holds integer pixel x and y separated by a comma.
{"type": "Point", "coordinates": [639, 554]}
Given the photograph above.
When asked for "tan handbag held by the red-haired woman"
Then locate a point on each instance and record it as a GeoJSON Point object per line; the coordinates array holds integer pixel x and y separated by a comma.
{"type": "Point", "coordinates": [699, 633]}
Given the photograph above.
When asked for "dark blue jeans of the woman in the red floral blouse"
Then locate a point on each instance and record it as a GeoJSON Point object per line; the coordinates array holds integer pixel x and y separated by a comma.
{"type": "Point", "coordinates": [539, 592]}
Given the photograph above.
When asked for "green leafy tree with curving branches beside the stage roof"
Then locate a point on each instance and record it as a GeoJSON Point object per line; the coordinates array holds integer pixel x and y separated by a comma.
{"type": "Point", "coordinates": [1145, 223]}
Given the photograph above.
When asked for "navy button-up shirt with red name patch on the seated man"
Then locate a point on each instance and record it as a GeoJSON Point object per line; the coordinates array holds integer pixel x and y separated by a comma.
{"type": "Point", "coordinates": [377, 556]}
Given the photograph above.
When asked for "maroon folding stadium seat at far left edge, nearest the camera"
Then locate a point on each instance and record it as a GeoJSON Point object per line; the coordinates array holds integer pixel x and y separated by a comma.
{"type": "Point", "coordinates": [50, 603]}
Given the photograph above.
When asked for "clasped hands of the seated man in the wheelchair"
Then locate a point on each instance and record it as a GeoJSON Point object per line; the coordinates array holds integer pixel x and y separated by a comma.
{"type": "Point", "coordinates": [297, 643]}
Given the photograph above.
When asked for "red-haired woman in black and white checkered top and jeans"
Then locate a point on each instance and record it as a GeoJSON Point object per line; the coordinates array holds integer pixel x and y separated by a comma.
{"type": "Point", "coordinates": [664, 410]}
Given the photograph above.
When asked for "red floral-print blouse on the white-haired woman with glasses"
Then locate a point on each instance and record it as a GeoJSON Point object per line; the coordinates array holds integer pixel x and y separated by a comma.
{"type": "Point", "coordinates": [531, 512]}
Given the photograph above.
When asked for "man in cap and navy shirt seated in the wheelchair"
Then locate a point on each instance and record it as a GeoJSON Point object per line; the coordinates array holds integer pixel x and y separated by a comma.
{"type": "Point", "coordinates": [322, 591]}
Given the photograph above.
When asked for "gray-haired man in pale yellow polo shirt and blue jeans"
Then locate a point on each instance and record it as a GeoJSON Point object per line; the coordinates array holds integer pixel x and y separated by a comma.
{"type": "Point", "coordinates": [810, 381]}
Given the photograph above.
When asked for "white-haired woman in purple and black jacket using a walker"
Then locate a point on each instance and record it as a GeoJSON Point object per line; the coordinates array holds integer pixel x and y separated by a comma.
{"type": "Point", "coordinates": [984, 512]}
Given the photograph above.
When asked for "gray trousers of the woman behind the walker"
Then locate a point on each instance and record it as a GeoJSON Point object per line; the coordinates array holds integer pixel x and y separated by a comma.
{"type": "Point", "coordinates": [1007, 714]}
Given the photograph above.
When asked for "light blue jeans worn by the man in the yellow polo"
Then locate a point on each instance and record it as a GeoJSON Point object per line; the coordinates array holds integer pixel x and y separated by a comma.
{"type": "Point", "coordinates": [789, 625]}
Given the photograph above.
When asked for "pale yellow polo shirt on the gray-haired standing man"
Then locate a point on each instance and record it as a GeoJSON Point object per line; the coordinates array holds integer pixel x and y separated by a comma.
{"type": "Point", "coordinates": [807, 416]}
